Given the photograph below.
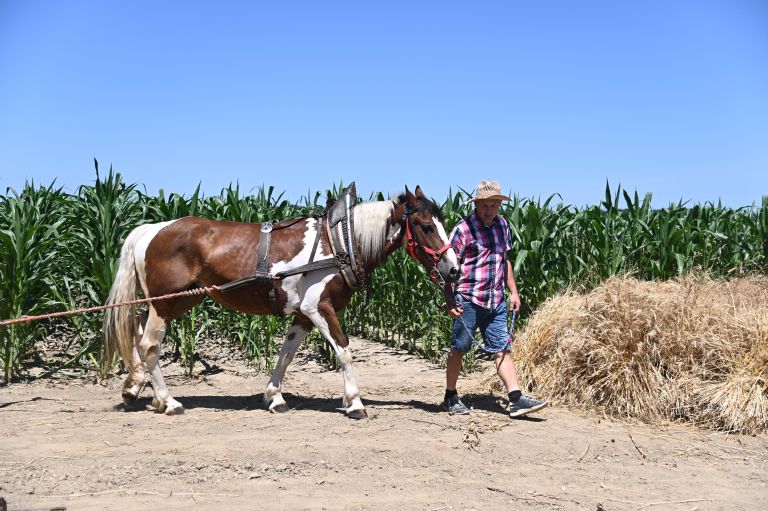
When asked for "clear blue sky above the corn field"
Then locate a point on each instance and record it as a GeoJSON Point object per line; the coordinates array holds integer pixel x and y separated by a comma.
{"type": "Point", "coordinates": [661, 96]}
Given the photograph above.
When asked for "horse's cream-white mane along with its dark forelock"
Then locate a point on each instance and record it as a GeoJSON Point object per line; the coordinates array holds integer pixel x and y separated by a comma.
{"type": "Point", "coordinates": [372, 223]}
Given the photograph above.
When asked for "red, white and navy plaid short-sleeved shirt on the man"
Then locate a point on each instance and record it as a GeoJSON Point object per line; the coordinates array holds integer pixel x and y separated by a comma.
{"type": "Point", "coordinates": [482, 253]}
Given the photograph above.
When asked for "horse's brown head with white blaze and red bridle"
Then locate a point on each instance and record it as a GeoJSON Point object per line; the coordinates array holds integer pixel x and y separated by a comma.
{"type": "Point", "coordinates": [425, 238]}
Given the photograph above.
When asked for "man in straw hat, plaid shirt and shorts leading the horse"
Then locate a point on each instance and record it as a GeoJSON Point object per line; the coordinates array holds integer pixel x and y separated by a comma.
{"type": "Point", "coordinates": [477, 300]}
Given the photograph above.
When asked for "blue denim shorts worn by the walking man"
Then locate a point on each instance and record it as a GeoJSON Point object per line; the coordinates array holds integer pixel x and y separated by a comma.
{"type": "Point", "coordinates": [491, 322]}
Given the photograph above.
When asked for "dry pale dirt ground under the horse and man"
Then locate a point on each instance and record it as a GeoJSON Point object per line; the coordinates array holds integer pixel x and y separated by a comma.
{"type": "Point", "coordinates": [68, 443]}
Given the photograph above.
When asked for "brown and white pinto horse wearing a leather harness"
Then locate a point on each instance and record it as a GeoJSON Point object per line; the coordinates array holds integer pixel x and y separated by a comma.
{"type": "Point", "coordinates": [192, 253]}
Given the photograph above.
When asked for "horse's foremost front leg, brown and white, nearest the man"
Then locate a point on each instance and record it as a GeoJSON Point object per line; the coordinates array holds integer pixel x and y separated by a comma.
{"type": "Point", "coordinates": [323, 315]}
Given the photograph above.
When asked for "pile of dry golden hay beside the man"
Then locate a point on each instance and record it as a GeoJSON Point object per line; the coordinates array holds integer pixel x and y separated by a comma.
{"type": "Point", "coordinates": [693, 350]}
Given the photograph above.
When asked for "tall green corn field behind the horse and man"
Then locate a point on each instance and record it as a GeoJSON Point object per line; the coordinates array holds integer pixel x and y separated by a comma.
{"type": "Point", "coordinates": [59, 251]}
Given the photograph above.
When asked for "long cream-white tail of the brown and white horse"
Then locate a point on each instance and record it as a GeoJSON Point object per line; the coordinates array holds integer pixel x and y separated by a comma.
{"type": "Point", "coordinates": [120, 322]}
